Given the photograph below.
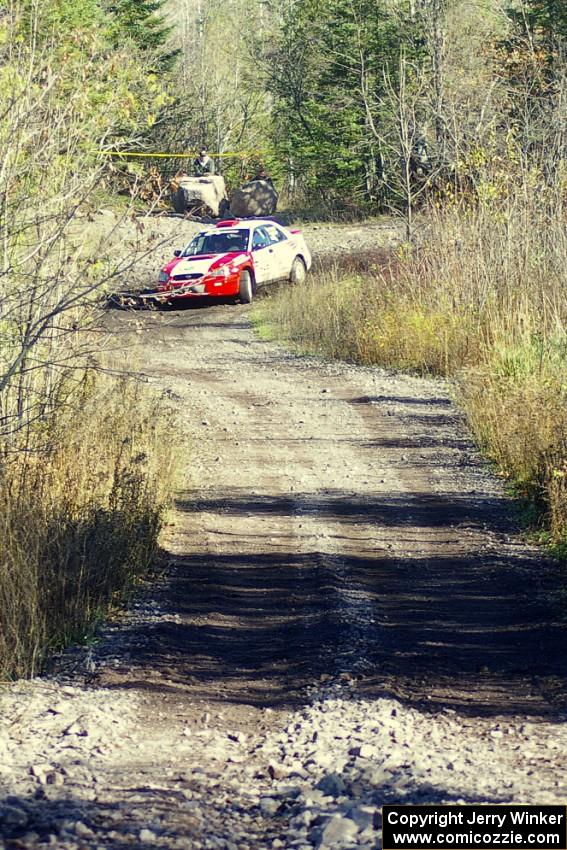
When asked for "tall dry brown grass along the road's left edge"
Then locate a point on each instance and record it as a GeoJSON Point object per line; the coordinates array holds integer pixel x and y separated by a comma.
{"type": "Point", "coordinates": [80, 512]}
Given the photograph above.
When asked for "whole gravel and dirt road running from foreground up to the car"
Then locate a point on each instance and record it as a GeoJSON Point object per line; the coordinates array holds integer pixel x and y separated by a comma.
{"type": "Point", "coordinates": [347, 617]}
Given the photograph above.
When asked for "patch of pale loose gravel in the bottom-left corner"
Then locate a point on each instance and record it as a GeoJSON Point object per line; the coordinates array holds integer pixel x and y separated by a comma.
{"type": "Point", "coordinates": [54, 740]}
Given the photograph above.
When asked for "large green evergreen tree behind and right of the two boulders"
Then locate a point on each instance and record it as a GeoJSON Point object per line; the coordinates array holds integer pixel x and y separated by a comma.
{"type": "Point", "coordinates": [327, 72]}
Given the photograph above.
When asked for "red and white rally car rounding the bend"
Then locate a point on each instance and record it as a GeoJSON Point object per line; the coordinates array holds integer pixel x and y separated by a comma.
{"type": "Point", "coordinates": [233, 259]}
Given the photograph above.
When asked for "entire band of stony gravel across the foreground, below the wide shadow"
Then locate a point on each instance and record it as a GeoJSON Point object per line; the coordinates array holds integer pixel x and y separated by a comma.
{"type": "Point", "coordinates": [82, 772]}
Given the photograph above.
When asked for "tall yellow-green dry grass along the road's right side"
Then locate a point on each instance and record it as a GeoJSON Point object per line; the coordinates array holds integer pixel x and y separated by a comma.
{"type": "Point", "coordinates": [482, 302]}
